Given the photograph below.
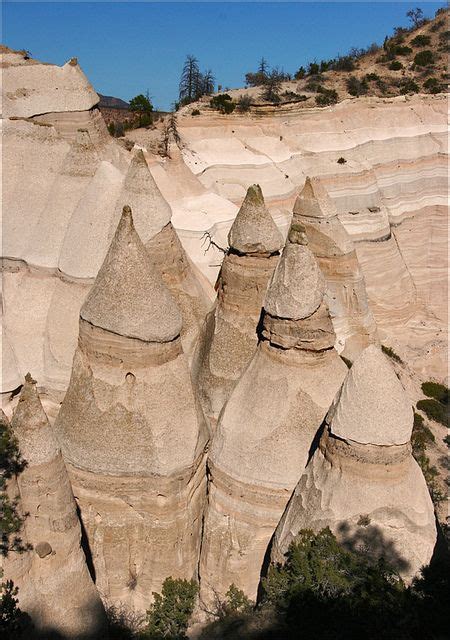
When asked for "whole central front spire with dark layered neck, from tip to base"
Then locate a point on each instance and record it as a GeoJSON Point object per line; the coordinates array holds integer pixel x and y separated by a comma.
{"type": "Point", "coordinates": [268, 425]}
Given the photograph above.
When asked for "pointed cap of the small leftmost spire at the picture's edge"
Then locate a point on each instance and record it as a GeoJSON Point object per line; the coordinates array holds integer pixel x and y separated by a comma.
{"type": "Point", "coordinates": [30, 425]}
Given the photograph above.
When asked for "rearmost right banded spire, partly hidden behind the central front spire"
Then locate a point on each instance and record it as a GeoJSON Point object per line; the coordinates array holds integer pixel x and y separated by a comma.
{"type": "Point", "coordinates": [335, 253]}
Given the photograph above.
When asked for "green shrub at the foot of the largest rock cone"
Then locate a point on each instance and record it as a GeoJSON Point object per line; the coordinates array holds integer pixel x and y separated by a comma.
{"type": "Point", "coordinates": [169, 615]}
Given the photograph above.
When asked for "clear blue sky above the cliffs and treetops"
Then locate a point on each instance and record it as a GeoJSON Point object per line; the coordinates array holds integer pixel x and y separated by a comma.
{"type": "Point", "coordinates": [126, 48]}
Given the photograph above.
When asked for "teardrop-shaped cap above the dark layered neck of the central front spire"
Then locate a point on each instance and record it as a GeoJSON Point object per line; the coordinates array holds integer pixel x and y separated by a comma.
{"type": "Point", "coordinates": [297, 286]}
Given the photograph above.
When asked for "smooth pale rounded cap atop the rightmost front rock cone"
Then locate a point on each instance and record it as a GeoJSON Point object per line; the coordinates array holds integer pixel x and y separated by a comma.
{"type": "Point", "coordinates": [373, 407]}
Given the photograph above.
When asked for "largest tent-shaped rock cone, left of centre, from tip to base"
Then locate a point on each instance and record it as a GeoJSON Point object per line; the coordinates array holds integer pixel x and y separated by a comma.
{"type": "Point", "coordinates": [132, 434]}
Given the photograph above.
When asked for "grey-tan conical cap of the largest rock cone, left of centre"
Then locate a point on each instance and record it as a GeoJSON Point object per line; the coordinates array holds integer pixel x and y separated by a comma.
{"type": "Point", "coordinates": [128, 297]}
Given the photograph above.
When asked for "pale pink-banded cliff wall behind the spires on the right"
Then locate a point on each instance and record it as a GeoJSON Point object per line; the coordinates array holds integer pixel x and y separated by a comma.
{"type": "Point", "coordinates": [390, 195]}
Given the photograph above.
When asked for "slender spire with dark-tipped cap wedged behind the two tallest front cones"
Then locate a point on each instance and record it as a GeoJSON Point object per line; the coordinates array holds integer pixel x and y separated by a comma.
{"type": "Point", "coordinates": [229, 335]}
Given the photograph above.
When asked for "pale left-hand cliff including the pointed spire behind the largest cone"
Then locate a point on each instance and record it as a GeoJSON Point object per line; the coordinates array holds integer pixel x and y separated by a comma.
{"type": "Point", "coordinates": [65, 181]}
